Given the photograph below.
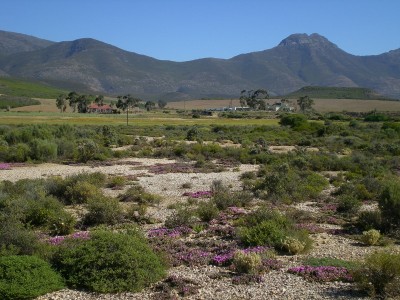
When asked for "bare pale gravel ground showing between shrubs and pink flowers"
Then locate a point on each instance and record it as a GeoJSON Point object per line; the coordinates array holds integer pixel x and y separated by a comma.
{"type": "Point", "coordinates": [213, 284]}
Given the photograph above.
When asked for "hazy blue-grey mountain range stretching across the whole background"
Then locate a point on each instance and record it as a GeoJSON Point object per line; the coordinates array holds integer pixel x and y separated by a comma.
{"type": "Point", "coordinates": [299, 60]}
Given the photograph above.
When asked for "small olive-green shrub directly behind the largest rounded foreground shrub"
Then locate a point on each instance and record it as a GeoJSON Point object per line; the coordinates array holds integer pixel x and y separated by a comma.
{"type": "Point", "coordinates": [103, 210]}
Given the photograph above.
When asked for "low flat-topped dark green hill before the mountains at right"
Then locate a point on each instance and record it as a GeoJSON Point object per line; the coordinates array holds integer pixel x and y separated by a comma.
{"type": "Point", "coordinates": [322, 92]}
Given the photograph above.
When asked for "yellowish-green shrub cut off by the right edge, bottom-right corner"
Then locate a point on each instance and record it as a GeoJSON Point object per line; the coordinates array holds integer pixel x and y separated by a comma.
{"type": "Point", "coordinates": [378, 273]}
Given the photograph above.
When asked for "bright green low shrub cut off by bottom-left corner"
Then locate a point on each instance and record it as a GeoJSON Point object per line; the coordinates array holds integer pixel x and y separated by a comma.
{"type": "Point", "coordinates": [26, 277]}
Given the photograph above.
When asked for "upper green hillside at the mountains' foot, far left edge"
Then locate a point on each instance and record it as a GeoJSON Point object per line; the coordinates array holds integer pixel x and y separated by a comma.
{"type": "Point", "coordinates": [20, 88]}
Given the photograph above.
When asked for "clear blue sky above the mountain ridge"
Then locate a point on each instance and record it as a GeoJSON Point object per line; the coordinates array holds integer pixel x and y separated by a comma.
{"type": "Point", "coordinates": [182, 30]}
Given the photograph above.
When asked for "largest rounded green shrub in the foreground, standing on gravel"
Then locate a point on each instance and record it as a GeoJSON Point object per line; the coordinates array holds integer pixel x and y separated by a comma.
{"type": "Point", "coordinates": [109, 262]}
